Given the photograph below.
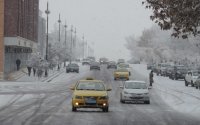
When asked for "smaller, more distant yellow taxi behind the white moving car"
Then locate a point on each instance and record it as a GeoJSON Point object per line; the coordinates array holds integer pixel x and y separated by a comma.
{"type": "Point", "coordinates": [122, 74]}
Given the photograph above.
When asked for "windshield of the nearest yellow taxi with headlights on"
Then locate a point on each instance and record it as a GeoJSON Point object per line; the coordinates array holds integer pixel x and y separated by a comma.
{"type": "Point", "coordinates": [97, 86]}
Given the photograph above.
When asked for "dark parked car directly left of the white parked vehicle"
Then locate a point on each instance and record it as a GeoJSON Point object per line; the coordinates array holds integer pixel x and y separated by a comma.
{"type": "Point", "coordinates": [178, 72]}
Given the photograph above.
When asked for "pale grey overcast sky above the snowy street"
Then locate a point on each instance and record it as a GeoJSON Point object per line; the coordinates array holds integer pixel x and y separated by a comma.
{"type": "Point", "coordinates": [105, 23]}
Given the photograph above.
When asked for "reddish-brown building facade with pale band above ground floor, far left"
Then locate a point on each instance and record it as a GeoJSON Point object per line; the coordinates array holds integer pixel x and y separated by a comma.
{"type": "Point", "coordinates": [18, 32]}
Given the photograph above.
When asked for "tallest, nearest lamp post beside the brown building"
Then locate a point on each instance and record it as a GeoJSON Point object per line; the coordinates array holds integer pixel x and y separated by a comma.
{"type": "Point", "coordinates": [47, 37]}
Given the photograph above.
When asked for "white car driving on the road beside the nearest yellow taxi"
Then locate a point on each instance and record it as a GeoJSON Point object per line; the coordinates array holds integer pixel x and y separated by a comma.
{"type": "Point", "coordinates": [134, 91]}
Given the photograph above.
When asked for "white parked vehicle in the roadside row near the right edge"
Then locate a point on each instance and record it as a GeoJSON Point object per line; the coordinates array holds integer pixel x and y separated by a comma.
{"type": "Point", "coordinates": [191, 77]}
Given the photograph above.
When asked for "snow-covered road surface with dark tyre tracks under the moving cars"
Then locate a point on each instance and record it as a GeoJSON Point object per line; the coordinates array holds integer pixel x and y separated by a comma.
{"type": "Point", "coordinates": [50, 103]}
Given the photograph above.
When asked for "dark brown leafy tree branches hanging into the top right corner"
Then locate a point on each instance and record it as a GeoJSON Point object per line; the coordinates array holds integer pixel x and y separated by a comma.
{"type": "Point", "coordinates": [183, 16]}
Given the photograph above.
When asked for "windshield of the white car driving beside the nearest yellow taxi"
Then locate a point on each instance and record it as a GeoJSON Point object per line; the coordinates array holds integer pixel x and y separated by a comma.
{"type": "Point", "coordinates": [135, 85]}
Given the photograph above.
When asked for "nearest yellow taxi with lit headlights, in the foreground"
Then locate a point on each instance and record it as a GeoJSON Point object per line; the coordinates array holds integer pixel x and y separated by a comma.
{"type": "Point", "coordinates": [90, 93]}
